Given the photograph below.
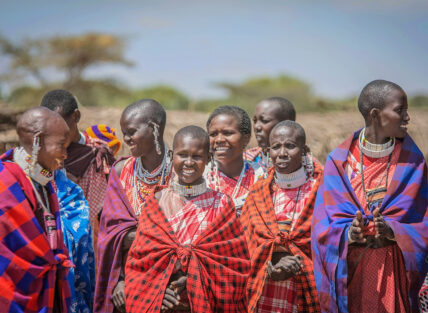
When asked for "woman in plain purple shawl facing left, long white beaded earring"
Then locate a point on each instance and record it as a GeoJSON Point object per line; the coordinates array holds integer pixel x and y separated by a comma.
{"type": "Point", "coordinates": [142, 124]}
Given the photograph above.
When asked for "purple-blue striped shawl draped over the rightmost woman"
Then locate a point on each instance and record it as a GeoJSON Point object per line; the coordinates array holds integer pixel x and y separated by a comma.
{"type": "Point", "coordinates": [404, 208]}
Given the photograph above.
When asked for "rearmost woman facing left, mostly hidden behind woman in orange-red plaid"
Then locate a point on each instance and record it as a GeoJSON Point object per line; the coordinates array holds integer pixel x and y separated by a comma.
{"type": "Point", "coordinates": [267, 114]}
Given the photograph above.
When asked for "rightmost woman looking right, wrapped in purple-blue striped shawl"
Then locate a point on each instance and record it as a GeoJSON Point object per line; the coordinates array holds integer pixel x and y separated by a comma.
{"type": "Point", "coordinates": [370, 233]}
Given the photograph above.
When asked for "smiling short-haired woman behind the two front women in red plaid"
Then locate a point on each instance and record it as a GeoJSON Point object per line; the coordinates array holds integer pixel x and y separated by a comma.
{"type": "Point", "coordinates": [229, 128]}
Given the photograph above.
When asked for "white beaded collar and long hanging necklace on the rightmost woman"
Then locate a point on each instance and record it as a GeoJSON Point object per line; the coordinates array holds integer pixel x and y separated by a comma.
{"type": "Point", "coordinates": [374, 151]}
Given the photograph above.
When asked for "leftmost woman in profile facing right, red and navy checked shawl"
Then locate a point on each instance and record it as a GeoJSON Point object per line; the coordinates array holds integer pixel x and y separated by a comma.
{"type": "Point", "coordinates": [34, 260]}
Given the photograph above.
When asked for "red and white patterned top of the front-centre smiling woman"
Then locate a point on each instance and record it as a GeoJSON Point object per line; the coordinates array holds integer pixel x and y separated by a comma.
{"type": "Point", "coordinates": [193, 216]}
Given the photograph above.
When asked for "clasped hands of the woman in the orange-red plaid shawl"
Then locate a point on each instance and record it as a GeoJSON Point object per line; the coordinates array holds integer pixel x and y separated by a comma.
{"type": "Point", "coordinates": [287, 267]}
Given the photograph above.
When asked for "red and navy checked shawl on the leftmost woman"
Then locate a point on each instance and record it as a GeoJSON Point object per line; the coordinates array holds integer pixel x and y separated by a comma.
{"type": "Point", "coordinates": [31, 273]}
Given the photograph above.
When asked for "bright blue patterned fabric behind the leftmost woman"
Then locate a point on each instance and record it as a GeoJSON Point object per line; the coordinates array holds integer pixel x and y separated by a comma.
{"type": "Point", "coordinates": [77, 232]}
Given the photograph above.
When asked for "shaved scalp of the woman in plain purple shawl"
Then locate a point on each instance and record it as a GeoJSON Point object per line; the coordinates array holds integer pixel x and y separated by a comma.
{"type": "Point", "coordinates": [149, 109]}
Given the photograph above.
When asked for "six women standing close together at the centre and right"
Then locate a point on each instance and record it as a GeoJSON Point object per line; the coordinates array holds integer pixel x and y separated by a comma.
{"type": "Point", "coordinates": [212, 227]}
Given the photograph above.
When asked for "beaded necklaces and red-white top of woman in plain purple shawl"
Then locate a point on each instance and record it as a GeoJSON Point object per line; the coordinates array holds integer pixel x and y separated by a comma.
{"type": "Point", "coordinates": [143, 177]}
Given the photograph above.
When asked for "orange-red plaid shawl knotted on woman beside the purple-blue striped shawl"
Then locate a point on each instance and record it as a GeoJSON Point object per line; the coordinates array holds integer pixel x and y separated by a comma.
{"type": "Point", "coordinates": [262, 232]}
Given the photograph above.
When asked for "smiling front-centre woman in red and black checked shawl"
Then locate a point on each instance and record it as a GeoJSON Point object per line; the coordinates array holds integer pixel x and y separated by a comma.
{"type": "Point", "coordinates": [190, 253]}
